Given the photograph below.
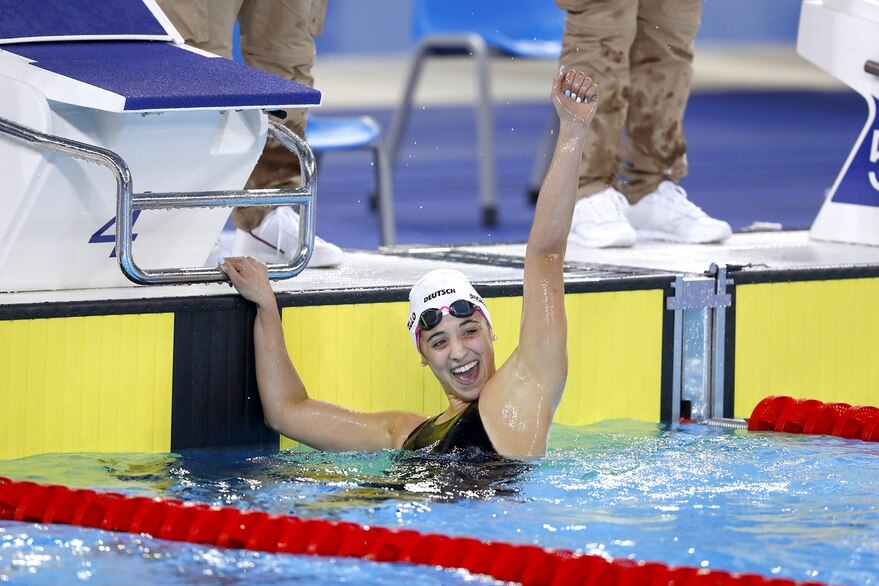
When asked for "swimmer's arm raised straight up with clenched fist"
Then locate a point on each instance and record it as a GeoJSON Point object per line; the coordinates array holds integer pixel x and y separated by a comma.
{"type": "Point", "coordinates": [520, 403]}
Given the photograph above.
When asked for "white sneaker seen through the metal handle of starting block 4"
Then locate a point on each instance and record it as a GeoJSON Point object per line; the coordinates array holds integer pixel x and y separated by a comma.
{"type": "Point", "coordinates": [275, 240]}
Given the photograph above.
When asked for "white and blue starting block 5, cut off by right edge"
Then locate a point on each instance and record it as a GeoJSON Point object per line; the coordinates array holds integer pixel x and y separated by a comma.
{"type": "Point", "coordinates": [842, 37]}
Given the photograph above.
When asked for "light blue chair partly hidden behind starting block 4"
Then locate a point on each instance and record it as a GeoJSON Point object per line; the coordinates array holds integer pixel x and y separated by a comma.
{"type": "Point", "coordinates": [338, 133]}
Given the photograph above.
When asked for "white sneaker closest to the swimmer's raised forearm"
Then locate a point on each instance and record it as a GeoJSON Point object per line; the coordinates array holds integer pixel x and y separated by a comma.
{"type": "Point", "coordinates": [600, 221]}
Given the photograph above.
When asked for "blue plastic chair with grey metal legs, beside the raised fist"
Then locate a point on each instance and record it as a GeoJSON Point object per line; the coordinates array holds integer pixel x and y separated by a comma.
{"type": "Point", "coordinates": [513, 28]}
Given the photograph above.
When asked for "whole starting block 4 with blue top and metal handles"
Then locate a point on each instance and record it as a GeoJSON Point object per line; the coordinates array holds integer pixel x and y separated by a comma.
{"type": "Point", "coordinates": [112, 83]}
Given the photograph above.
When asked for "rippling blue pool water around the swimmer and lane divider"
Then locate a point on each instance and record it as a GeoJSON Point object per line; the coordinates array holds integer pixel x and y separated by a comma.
{"type": "Point", "coordinates": [801, 507]}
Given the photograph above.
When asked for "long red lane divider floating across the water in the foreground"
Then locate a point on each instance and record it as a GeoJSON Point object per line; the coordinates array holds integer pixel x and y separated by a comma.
{"type": "Point", "coordinates": [259, 531]}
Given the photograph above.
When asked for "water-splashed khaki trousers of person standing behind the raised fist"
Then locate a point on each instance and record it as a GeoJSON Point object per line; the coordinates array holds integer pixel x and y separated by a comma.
{"type": "Point", "coordinates": [641, 54]}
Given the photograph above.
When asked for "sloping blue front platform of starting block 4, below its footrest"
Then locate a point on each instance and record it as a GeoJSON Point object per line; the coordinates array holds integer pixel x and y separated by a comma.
{"type": "Point", "coordinates": [154, 75]}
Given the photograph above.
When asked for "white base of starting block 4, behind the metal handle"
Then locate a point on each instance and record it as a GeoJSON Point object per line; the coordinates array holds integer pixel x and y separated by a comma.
{"type": "Point", "coordinates": [59, 212]}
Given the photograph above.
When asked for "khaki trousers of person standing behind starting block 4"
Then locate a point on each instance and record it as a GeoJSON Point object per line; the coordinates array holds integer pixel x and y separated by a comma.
{"type": "Point", "coordinates": [277, 36]}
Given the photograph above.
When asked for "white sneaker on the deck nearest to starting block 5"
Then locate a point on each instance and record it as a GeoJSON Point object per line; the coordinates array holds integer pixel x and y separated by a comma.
{"type": "Point", "coordinates": [667, 214]}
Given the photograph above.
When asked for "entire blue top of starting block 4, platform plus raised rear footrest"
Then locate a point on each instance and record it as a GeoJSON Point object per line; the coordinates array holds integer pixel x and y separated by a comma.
{"type": "Point", "coordinates": [126, 48]}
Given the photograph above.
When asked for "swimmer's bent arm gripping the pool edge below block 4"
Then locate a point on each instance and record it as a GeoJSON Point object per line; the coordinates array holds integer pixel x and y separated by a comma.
{"type": "Point", "coordinates": [287, 407]}
